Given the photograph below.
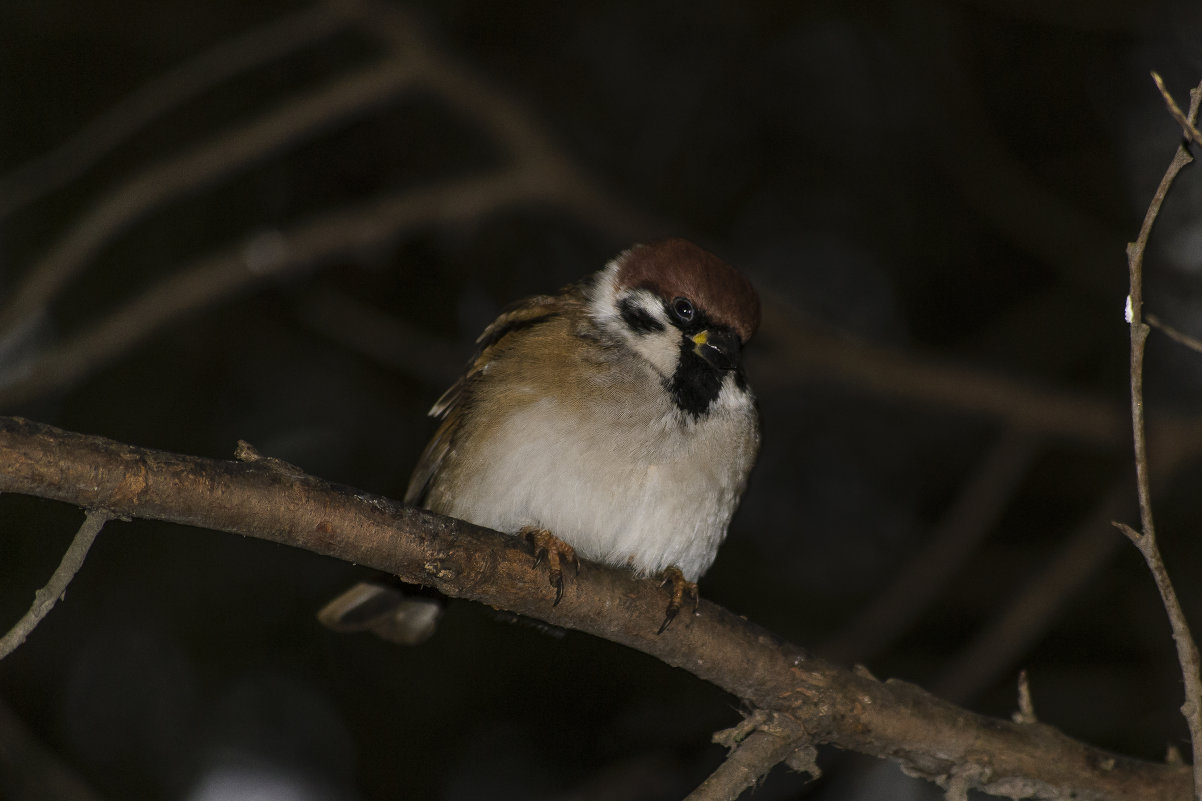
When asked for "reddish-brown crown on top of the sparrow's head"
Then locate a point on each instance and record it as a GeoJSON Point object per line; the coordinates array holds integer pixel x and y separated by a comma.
{"type": "Point", "coordinates": [679, 269]}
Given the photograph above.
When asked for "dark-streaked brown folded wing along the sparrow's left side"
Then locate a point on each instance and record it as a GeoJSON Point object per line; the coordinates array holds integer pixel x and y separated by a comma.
{"type": "Point", "coordinates": [456, 401]}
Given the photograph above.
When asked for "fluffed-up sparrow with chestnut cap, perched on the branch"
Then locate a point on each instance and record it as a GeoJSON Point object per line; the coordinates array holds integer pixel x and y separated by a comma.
{"type": "Point", "coordinates": [611, 422]}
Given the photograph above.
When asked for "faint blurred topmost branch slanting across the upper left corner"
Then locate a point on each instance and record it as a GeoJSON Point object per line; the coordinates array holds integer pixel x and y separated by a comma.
{"type": "Point", "coordinates": [68, 162]}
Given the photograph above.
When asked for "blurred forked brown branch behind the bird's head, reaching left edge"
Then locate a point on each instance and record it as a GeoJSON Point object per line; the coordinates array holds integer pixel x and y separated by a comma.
{"type": "Point", "coordinates": [535, 171]}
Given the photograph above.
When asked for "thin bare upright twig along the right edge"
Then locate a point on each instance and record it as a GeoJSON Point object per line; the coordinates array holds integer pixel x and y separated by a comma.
{"type": "Point", "coordinates": [1146, 538]}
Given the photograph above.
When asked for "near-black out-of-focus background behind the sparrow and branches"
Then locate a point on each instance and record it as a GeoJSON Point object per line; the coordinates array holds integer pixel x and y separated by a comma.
{"type": "Point", "coordinates": [933, 200]}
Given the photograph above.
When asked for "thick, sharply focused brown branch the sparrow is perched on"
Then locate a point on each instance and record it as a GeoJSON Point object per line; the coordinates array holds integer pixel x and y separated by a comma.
{"type": "Point", "coordinates": [897, 721]}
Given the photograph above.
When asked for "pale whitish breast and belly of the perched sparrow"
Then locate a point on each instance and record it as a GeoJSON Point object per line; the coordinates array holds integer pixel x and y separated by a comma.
{"type": "Point", "coordinates": [634, 484]}
